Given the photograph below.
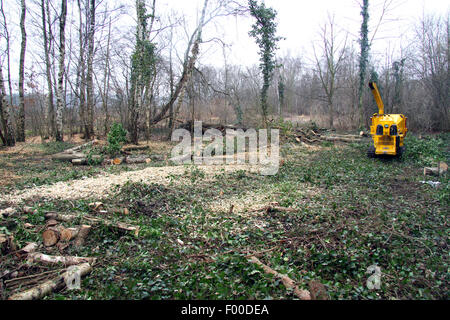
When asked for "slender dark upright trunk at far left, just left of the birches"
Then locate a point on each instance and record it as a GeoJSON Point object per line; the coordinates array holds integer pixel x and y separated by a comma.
{"type": "Point", "coordinates": [21, 115]}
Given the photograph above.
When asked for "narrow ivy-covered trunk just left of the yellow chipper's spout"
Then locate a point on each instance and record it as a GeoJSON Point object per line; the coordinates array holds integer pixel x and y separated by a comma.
{"type": "Point", "coordinates": [363, 59]}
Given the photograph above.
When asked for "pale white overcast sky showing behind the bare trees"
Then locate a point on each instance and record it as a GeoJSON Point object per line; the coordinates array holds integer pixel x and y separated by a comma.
{"type": "Point", "coordinates": [299, 22]}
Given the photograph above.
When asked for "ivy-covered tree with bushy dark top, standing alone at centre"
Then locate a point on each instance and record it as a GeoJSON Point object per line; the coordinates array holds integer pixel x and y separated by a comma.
{"type": "Point", "coordinates": [264, 31]}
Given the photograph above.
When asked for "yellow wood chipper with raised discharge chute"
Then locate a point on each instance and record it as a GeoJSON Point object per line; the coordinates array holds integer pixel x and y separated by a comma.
{"type": "Point", "coordinates": [388, 131]}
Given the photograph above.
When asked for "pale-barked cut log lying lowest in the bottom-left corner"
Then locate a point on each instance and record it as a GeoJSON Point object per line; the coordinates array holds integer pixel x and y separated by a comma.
{"type": "Point", "coordinates": [49, 286]}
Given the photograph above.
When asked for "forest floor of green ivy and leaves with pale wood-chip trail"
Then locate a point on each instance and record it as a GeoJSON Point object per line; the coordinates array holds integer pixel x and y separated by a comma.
{"type": "Point", "coordinates": [199, 224]}
